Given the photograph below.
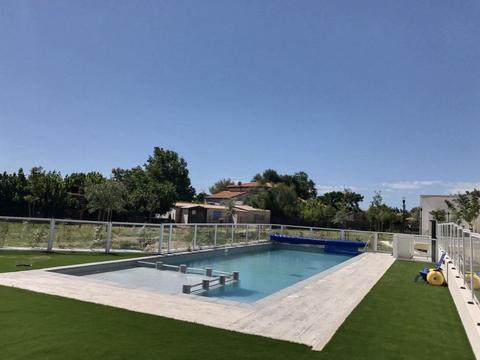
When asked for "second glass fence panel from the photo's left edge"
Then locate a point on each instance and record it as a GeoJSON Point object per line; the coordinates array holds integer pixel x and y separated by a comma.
{"type": "Point", "coordinates": [73, 235]}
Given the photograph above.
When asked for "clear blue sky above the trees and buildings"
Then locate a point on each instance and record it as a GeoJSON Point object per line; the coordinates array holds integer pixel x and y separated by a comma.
{"type": "Point", "coordinates": [373, 95]}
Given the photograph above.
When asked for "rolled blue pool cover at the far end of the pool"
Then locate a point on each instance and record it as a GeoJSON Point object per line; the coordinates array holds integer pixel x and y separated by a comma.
{"type": "Point", "coordinates": [333, 246]}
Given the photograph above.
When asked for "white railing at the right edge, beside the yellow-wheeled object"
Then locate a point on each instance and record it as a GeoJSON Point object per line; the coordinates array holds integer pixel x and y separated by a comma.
{"type": "Point", "coordinates": [463, 248]}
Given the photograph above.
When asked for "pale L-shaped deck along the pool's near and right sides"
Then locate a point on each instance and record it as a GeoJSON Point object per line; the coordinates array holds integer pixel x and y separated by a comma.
{"type": "Point", "coordinates": [308, 312]}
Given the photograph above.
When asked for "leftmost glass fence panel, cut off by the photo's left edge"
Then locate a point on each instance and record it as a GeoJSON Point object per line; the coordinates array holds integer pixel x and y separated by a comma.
{"type": "Point", "coordinates": [24, 233]}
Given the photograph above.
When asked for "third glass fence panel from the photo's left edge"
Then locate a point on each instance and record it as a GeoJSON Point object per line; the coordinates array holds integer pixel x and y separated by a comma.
{"type": "Point", "coordinates": [140, 237]}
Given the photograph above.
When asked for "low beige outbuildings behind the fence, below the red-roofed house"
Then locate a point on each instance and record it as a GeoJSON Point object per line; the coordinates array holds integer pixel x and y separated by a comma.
{"type": "Point", "coordinates": [207, 213]}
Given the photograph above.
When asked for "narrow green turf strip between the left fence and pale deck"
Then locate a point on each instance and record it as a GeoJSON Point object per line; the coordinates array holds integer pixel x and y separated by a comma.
{"type": "Point", "coordinates": [14, 260]}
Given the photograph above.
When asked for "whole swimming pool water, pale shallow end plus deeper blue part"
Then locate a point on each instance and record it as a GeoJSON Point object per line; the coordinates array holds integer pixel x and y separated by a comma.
{"type": "Point", "coordinates": [263, 271]}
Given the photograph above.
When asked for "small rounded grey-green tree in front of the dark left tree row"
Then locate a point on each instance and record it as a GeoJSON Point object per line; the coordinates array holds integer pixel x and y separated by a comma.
{"type": "Point", "coordinates": [106, 198]}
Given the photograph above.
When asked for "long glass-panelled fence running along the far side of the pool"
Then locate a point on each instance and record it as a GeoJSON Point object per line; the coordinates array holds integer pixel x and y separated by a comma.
{"type": "Point", "coordinates": [82, 235]}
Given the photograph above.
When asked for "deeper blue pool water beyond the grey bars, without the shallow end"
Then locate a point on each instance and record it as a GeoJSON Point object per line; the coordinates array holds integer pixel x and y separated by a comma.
{"type": "Point", "coordinates": [265, 272]}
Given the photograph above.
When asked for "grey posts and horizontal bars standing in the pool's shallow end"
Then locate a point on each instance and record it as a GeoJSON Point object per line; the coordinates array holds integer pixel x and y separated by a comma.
{"type": "Point", "coordinates": [215, 278]}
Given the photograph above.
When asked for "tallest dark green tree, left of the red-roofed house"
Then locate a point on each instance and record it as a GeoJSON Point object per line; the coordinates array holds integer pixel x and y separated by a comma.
{"type": "Point", "coordinates": [166, 165]}
